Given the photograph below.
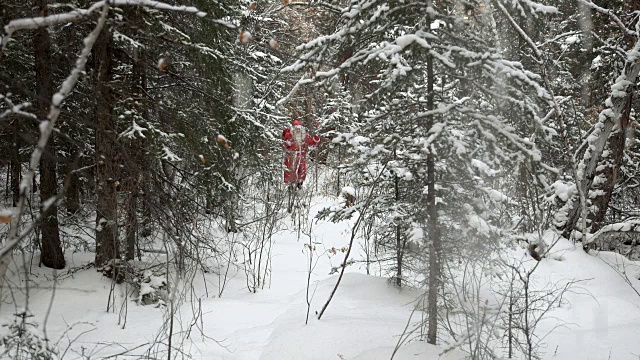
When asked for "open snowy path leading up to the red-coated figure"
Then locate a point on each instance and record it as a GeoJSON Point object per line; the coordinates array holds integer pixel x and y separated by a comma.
{"type": "Point", "coordinates": [364, 319]}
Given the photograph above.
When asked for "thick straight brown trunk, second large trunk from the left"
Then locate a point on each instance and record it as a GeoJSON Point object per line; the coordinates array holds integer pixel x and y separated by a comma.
{"type": "Point", "coordinates": [107, 247]}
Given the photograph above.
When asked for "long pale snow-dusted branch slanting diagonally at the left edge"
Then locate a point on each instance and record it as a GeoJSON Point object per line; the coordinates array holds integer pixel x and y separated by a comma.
{"type": "Point", "coordinates": [46, 128]}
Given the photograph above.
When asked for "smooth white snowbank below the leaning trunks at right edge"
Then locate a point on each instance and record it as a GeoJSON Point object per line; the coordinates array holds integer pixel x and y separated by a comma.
{"type": "Point", "coordinates": [602, 318]}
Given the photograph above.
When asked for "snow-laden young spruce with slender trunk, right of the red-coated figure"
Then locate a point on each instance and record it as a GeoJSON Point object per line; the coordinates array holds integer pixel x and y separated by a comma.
{"type": "Point", "coordinates": [436, 125]}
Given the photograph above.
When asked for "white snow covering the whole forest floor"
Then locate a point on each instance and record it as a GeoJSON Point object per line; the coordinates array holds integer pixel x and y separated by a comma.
{"type": "Point", "coordinates": [600, 321]}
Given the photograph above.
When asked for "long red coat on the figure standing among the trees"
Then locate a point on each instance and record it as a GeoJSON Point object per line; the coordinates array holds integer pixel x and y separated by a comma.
{"type": "Point", "coordinates": [296, 155]}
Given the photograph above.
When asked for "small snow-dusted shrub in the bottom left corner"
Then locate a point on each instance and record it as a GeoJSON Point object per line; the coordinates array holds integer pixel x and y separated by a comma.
{"type": "Point", "coordinates": [24, 341]}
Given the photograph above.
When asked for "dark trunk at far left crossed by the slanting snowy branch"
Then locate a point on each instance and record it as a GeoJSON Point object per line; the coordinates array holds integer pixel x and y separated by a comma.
{"type": "Point", "coordinates": [52, 256]}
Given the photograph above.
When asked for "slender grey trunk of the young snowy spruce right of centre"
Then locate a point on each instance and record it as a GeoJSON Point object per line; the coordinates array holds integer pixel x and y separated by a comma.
{"type": "Point", "coordinates": [433, 231]}
